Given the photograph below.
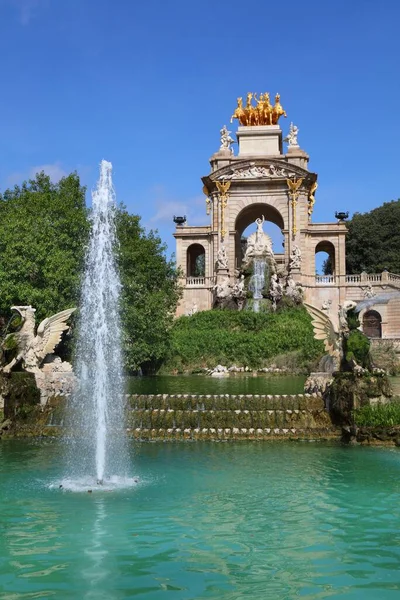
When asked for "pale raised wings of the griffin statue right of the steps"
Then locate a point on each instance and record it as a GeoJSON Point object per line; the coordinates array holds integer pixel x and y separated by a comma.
{"type": "Point", "coordinates": [324, 330]}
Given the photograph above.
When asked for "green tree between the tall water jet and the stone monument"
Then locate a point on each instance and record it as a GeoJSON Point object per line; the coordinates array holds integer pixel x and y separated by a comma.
{"type": "Point", "coordinates": [150, 294]}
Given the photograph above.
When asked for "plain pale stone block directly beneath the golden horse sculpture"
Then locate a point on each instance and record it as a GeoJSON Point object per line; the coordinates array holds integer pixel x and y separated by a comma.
{"type": "Point", "coordinates": [260, 140]}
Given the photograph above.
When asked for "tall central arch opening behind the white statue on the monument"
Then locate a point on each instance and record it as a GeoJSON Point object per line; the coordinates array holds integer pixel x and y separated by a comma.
{"type": "Point", "coordinates": [247, 216]}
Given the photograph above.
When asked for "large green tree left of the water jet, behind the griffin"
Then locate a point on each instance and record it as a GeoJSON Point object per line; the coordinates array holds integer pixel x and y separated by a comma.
{"type": "Point", "coordinates": [43, 231]}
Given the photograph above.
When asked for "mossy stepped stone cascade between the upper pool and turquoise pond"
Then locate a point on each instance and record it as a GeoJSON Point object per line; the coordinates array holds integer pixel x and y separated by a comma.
{"type": "Point", "coordinates": [224, 417]}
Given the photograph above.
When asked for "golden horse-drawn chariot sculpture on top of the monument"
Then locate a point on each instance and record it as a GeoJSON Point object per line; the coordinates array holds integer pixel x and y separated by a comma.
{"type": "Point", "coordinates": [263, 113]}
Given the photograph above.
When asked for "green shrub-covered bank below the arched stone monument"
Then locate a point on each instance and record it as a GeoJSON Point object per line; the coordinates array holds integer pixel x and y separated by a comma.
{"type": "Point", "coordinates": [242, 338]}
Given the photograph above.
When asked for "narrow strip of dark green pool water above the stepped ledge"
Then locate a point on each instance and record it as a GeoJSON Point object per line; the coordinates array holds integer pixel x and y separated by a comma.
{"type": "Point", "coordinates": [201, 384]}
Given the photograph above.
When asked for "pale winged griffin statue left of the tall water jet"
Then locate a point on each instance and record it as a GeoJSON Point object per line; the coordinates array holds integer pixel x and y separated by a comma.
{"type": "Point", "coordinates": [32, 349]}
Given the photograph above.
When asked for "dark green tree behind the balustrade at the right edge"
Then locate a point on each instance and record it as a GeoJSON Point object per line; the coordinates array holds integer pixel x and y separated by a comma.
{"type": "Point", "coordinates": [373, 241]}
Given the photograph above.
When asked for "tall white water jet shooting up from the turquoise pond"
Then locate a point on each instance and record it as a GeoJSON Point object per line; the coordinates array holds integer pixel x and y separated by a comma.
{"type": "Point", "coordinates": [98, 448]}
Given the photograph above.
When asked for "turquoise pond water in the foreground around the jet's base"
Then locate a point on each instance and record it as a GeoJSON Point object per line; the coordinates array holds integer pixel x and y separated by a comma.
{"type": "Point", "coordinates": [206, 520]}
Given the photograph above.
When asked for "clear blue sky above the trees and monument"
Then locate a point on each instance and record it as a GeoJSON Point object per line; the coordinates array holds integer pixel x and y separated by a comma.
{"type": "Point", "coordinates": [148, 85]}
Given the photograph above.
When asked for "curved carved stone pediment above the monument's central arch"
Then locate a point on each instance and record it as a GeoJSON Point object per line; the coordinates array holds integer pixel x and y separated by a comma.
{"type": "Point", "coordinates": [258, 169]}
